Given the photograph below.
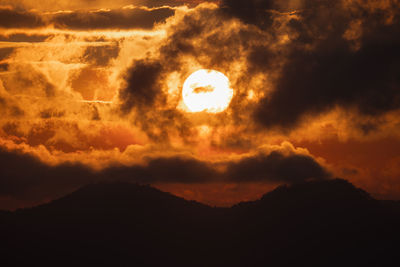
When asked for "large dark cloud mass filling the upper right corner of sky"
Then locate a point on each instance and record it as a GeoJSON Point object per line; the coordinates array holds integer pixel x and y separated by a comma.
{"type": "Point", "coordinates": [329, 62]}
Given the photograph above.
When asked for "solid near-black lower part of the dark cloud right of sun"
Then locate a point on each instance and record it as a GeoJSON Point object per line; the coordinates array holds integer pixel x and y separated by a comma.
{"type": "Point", "coordinates": [314, 83]}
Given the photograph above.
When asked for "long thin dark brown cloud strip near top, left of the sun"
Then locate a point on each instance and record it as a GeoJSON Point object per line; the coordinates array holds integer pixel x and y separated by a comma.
{"type": "Point", "coordinates": [114, 19]}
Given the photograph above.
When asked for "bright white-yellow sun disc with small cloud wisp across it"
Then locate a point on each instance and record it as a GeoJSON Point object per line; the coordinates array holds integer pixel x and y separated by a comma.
{"type": "Point", "coordinates": [207, 90]}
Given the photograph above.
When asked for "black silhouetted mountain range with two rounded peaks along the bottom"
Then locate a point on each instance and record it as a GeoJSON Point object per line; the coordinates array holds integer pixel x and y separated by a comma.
{"type": "Point", "coordinates": [320, 223]}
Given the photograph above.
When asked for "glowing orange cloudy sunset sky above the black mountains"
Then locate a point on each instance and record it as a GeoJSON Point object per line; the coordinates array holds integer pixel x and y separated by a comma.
{"type": "Point", "coordinates": [91, 91]}
